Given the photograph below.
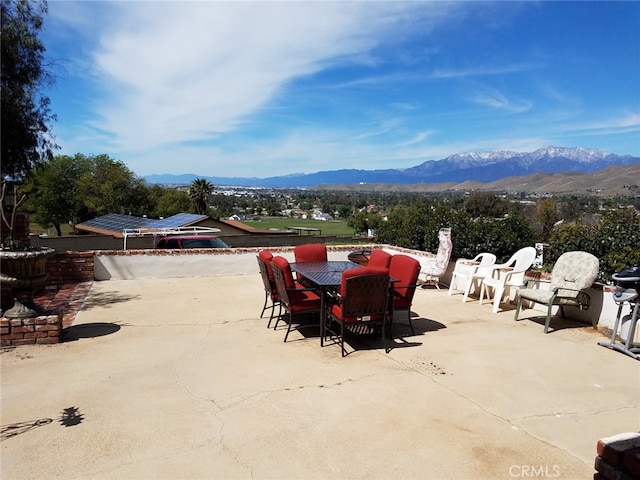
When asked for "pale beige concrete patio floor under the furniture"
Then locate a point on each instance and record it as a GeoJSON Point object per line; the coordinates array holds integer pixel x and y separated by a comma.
{"type": "Point", "coordinates": [180, 379]}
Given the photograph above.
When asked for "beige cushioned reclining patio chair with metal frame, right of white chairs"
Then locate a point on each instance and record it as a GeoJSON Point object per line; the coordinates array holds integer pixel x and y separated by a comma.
{"type": "Point", "coordinates": [572, 274]}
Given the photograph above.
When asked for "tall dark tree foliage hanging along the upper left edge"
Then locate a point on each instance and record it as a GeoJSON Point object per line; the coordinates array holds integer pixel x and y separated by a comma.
{"type": "Point", "coordinates": [26, 137]}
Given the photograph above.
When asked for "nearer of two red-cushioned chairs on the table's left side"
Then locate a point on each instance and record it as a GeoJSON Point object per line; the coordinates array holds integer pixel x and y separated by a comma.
{"type": "Point", "coordinates": [295, 299]}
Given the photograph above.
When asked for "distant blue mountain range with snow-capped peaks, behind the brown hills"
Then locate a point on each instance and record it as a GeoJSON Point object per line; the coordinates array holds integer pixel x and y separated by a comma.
{"type": "Point", "coordinates": [485, 167]}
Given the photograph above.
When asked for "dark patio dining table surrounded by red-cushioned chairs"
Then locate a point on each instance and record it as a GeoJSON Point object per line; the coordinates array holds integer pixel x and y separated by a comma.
{"type": "Point", "coordinates": [324, 276]}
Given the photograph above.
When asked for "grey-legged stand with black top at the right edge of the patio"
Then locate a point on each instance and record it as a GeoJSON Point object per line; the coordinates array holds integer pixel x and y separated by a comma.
{"type": "Point", "coordinates": [627, 291]}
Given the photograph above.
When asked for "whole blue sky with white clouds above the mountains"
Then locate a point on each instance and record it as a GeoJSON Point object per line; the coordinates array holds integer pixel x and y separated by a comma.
{"type": "Point", "coordinates": [266, 88]}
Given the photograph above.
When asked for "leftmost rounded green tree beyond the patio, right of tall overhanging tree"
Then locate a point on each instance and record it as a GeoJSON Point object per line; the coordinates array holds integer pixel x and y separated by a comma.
{"type": "Point", "coordinates": [52, 189]}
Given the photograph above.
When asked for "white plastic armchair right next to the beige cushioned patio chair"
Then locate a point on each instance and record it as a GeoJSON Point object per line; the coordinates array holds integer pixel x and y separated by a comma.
{"type": "Point", "coordinates": [504, 277]}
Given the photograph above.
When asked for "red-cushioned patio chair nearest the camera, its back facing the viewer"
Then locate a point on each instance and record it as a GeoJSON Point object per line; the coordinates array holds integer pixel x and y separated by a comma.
{"type": "Point", "coordinates": [362, 303]}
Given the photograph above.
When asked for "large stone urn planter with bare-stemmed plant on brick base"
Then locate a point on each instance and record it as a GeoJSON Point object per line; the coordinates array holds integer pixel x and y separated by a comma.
{"type": "Point", "coordinates": [21, 267]}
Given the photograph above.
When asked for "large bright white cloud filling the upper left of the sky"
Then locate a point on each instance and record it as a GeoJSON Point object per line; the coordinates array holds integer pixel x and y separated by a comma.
{"type": "Point", "coordinates": [186, 71]}
